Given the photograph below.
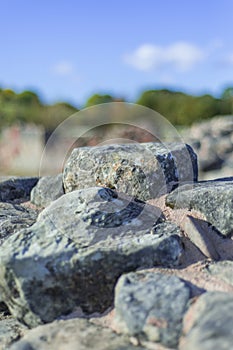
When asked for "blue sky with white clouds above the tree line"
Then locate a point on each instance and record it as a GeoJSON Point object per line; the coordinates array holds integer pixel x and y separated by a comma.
{"type": "Point", "coordinates": [68, 50]}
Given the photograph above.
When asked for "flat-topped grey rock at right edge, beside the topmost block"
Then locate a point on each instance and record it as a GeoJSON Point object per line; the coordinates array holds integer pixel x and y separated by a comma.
{"type": "Point", "coordinates": [212, 198]}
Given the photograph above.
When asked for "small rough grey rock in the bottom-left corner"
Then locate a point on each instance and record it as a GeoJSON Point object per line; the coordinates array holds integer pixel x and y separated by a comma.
{"type": "Point", "coordinates": [10, 331]}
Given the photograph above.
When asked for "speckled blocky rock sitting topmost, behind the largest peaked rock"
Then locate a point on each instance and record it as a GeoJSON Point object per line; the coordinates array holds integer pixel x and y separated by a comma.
{"type": "Point", "coordinates": [144, 170]}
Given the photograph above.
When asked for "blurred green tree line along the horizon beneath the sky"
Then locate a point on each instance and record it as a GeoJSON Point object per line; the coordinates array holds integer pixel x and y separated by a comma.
{"type": "Point", "coordinates": [178, 107]}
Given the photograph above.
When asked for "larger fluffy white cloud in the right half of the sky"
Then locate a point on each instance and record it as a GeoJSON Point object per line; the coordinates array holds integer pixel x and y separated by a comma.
{"type": "Point", "coordinates": [180, 55]}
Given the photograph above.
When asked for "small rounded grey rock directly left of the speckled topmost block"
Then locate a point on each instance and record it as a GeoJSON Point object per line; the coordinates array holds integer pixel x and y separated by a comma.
{"type": "Point", "coordinates": [47, 190]}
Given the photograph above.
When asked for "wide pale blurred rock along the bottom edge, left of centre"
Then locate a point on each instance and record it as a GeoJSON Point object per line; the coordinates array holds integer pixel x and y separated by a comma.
{"type": "Point", "coordinates": [75, 334]}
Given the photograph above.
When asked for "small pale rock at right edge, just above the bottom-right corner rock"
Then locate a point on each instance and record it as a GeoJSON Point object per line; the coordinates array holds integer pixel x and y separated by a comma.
{"type": "Point", "coordinates": [222, 270]}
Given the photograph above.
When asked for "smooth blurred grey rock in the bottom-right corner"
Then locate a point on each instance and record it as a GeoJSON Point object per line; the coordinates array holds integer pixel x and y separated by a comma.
{"type": "Point", "coordinates": [209, 323]}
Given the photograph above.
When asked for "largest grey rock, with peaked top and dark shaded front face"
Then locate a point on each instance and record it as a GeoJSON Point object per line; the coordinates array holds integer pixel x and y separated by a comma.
{"type": "Point", "coordinates": [77, 249]}
